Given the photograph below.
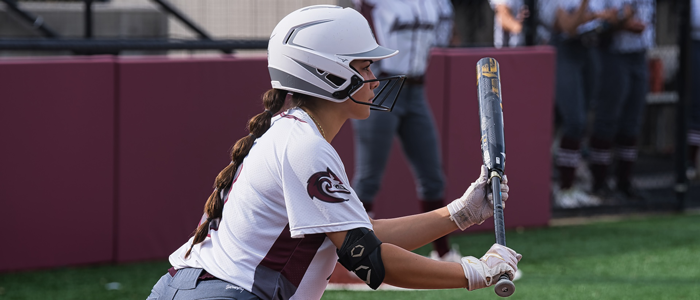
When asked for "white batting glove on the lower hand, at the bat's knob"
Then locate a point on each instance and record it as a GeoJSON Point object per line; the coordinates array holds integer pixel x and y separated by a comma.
{"type": "Point", "coordinates": [488, 269]}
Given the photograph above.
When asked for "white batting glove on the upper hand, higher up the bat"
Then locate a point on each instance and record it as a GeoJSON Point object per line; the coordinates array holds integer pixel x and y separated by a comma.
{"type": "Point", "coordinates": [475, 205]}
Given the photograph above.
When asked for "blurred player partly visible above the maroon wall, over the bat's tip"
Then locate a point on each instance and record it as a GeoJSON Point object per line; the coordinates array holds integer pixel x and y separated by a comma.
{"type": "Point", "coordinates": [508, 22]}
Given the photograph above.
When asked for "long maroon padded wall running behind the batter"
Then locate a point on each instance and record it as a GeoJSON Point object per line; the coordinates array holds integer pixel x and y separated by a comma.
{"type": "Point", "coordinates": [113, 159]}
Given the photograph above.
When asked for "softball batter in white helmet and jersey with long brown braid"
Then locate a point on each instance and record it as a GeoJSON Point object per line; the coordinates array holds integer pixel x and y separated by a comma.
{"type": "Point", "coordinates": [282, 207]}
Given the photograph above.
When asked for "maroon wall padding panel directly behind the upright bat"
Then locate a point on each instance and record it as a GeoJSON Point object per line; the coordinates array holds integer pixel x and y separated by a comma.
{"type": "Point", "coordinates": [527, 77]}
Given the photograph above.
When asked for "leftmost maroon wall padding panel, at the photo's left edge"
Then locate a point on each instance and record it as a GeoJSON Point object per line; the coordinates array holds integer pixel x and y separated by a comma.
{"type": "Point", "coordinates": [56, 162]}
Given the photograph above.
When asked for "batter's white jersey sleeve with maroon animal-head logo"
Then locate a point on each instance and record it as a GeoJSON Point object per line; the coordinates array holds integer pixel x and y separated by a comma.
{"type": "Point", "coordinates": [317, 195]}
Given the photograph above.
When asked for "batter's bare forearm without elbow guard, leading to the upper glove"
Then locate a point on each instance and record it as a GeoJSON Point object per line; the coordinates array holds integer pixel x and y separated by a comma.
{"type": "Point", "coordinates": [414, 231]}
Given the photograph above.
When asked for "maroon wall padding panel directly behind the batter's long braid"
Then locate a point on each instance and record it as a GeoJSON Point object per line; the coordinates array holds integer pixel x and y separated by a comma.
{"type": "Point", "coordinates": [178, 120]}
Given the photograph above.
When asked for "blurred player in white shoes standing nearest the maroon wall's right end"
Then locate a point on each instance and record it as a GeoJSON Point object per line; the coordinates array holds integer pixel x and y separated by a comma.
{"type": "Point", "coordinates": [577, 68]}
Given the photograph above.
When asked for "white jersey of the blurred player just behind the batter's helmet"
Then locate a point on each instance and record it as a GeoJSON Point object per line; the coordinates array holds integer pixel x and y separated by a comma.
{"type": "Point", "coordinates": [410, 26]}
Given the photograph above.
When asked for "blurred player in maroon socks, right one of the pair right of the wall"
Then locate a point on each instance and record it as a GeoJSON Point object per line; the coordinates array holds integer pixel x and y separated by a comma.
{"type": "Point", "coordinates": [620, 107]}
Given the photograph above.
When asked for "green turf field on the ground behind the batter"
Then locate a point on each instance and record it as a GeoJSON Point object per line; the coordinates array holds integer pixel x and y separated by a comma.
{"type": "Point", "coordinates": [639, 258]}
